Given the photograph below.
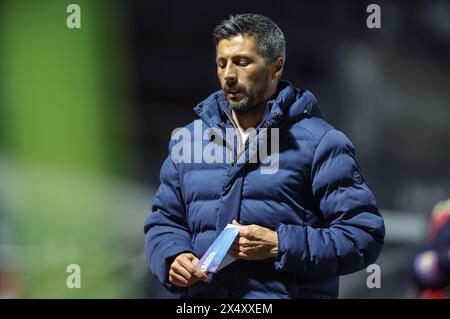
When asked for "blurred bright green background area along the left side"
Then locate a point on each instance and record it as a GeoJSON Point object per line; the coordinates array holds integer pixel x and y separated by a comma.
{"type": "Point", "coordinates": [63, 97]}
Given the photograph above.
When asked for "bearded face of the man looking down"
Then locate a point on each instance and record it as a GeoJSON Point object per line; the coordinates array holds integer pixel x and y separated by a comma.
{"type": "Point", "coordinates": [244, 74]}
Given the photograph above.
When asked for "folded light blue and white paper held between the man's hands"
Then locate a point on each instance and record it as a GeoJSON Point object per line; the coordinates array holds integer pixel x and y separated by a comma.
{"type": "Point", "coordinates": [216, 257]}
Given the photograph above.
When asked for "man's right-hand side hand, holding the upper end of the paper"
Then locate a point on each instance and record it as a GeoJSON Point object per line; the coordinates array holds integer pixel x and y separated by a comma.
{"type": "Point", "coordinates": [254, 243]}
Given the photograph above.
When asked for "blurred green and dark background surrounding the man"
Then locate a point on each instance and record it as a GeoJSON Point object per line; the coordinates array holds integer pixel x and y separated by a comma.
{"type": "Point", "coordinates": [117, 87]}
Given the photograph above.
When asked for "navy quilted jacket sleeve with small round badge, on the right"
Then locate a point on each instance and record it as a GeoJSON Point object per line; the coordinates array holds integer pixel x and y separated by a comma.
{"type": "Point", "coordinates": [353, 234]}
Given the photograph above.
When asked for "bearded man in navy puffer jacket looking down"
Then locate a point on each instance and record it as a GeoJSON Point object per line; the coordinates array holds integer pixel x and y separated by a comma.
{"type": "Point", "coordinates": [303, 226]}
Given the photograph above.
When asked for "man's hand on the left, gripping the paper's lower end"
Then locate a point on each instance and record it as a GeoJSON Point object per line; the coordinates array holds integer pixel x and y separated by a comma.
{"type": "Point", "coordinates": [184, 271]}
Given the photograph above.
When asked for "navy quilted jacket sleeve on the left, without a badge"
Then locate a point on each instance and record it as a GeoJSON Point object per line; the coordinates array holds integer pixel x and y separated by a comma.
{"type": "Point", "coordinates": [166, 230]}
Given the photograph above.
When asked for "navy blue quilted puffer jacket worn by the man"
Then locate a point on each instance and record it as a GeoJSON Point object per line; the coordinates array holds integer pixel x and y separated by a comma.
{"type": "Point", "coordinates": [318, 202]}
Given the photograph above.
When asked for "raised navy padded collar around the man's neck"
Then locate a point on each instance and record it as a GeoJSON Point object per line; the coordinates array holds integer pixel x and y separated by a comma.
{"type": "Point", "coordinates": [289, 105]}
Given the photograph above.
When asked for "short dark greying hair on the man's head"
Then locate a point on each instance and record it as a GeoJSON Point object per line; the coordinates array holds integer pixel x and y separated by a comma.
{"type": "Point", "coordinates": [269, 37]}
